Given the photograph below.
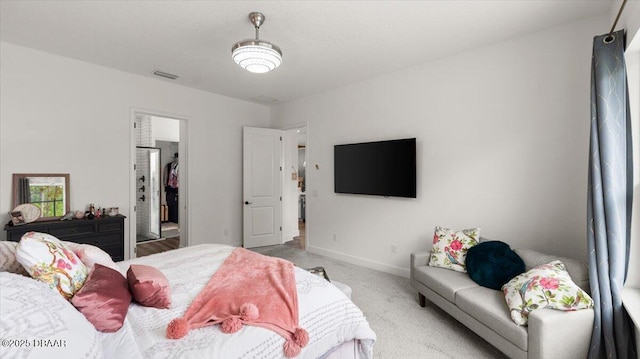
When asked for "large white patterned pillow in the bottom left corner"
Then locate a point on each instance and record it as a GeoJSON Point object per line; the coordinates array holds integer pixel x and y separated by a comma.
{"type": "Point", "coordinates": [36, 322]}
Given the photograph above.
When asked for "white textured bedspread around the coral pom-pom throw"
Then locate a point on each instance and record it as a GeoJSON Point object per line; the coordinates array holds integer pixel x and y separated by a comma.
{"type": "Point", "coordinates": [325, 312]}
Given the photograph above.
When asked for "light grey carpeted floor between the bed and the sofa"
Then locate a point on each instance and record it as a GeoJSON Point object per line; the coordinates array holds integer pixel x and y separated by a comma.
{"type": "Point", "coordinates": [404, 329]}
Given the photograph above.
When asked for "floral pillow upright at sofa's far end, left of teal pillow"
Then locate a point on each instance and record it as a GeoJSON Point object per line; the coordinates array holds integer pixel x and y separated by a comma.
{"type": "Point", "coordinates": [450, 248]}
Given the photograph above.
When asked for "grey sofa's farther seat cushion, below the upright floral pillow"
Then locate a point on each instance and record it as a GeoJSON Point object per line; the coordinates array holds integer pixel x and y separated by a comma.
{"type": "Point", "coordinates": [443, 281]}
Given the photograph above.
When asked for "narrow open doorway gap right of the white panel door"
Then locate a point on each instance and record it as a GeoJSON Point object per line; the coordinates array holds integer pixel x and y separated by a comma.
{"type": "Point", "coordinates": [297, 138]}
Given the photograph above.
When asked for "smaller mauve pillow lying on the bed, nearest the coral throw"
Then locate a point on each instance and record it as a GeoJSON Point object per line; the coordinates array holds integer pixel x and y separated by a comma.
{"type": "Point", "coordinates": [149, 286]}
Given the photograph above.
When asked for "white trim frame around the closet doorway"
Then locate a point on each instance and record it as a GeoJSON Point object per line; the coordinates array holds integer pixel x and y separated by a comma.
{"type": "Point", "coordinates": [183, 191]}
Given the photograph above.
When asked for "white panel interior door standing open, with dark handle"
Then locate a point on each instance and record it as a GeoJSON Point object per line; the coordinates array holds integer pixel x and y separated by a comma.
{"type": "Point", "coordinates": [262, 189]}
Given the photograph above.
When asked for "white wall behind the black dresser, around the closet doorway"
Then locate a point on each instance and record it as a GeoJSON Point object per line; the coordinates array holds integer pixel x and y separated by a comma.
{"type": "Point", "coordinates": [62, 115]}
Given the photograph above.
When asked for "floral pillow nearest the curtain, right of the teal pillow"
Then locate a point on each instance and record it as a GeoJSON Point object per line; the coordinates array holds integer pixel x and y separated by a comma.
{"type": "Point", "coordinates": [545, 286]}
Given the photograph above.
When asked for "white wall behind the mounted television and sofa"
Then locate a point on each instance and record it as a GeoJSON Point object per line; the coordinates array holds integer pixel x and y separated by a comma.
{"type": "Point", "coordinates": [502, 140]}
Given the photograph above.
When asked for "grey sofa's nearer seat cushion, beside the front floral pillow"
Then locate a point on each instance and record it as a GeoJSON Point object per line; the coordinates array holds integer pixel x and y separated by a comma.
{"type": "Point", "coordinates": [489, 308]}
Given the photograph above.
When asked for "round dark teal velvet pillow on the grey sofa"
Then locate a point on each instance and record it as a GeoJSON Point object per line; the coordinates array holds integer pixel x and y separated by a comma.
{"type": "Point", "coordinates": [492, 264]}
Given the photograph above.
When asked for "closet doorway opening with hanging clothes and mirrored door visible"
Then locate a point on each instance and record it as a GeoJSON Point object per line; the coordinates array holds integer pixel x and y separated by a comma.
{"type": "Point", "coordinates": [160, 180]}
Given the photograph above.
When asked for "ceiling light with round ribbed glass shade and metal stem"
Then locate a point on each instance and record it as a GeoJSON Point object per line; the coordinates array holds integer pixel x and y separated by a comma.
{"type": "Point", "coordinates": [256, 56]}
